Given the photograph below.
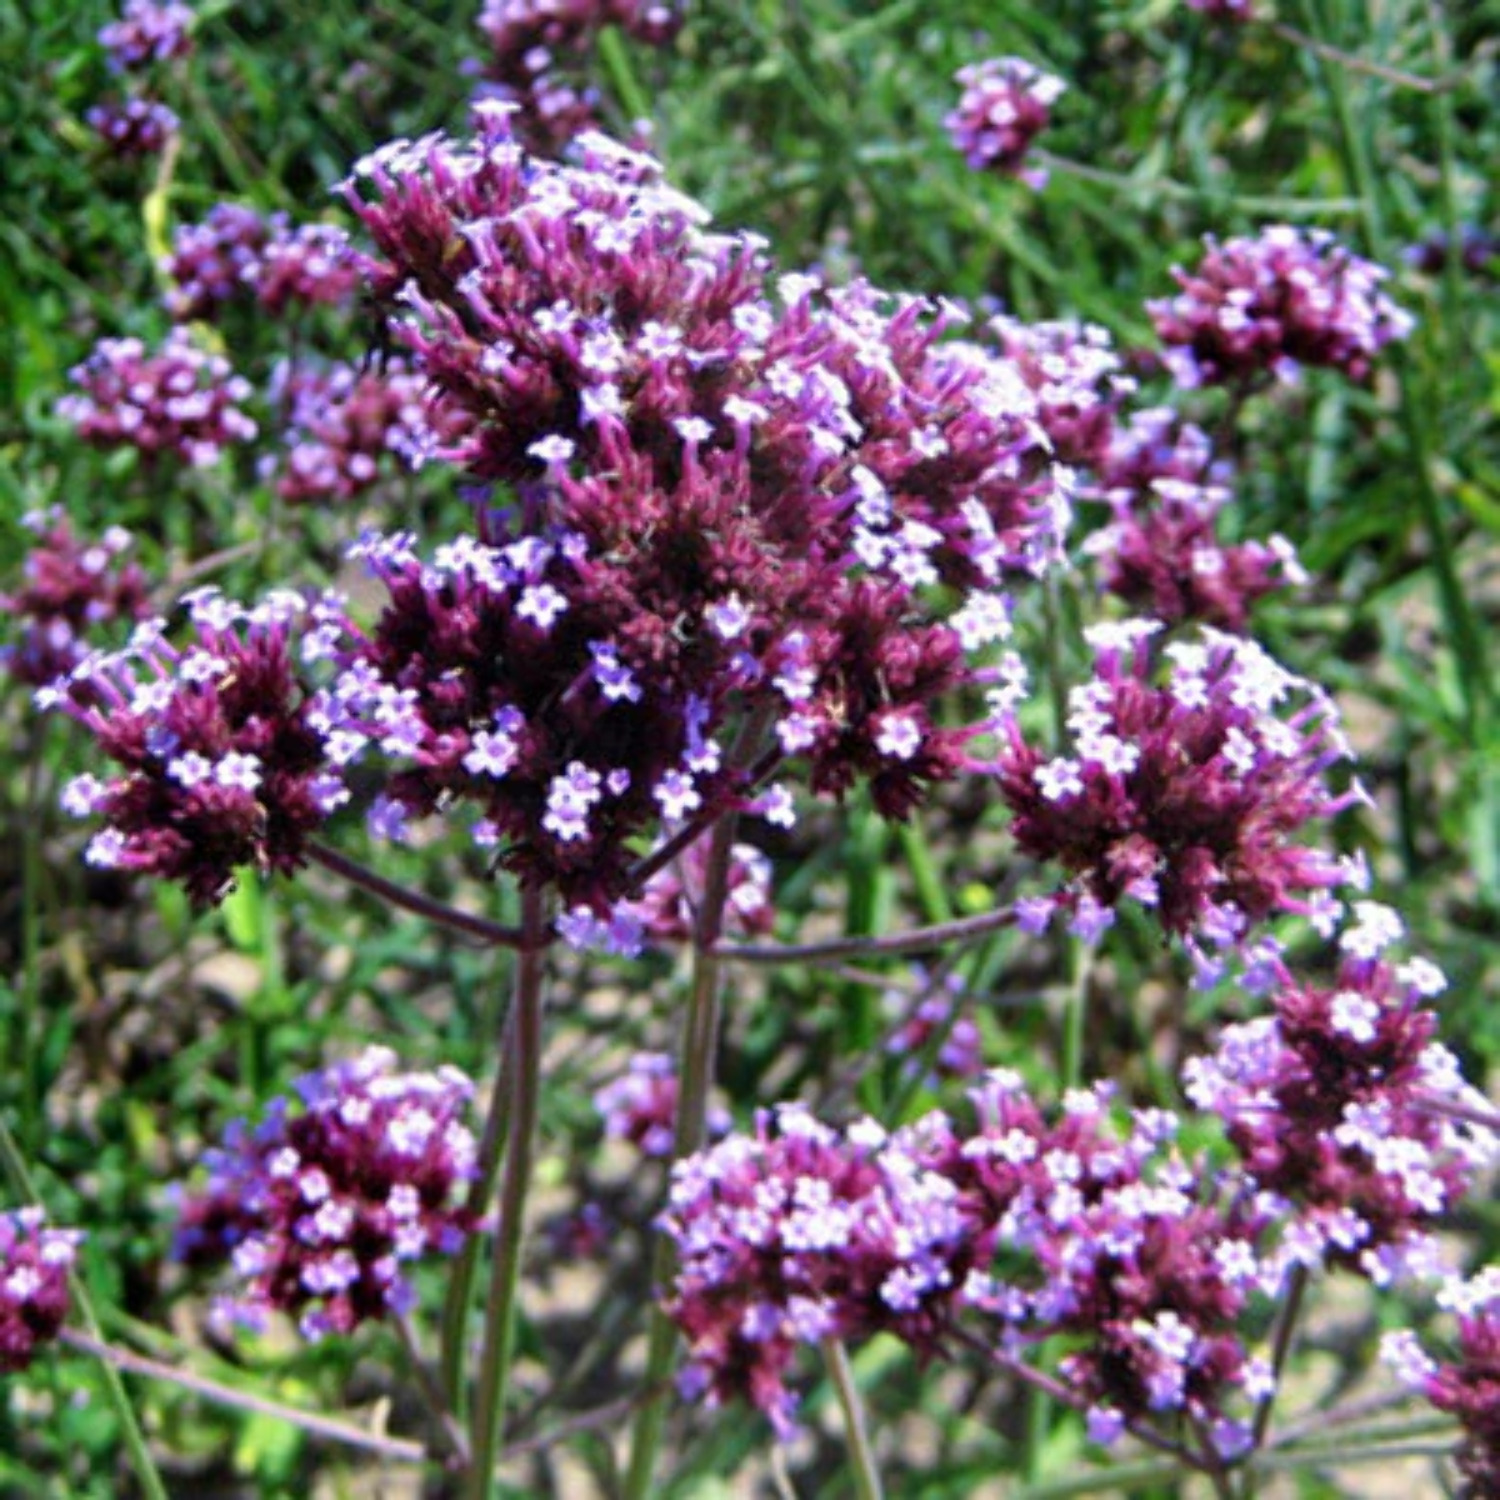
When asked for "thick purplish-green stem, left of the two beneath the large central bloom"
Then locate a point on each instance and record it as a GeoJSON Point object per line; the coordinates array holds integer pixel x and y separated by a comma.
{"type": "Point", "coordinates": [505, 1282]}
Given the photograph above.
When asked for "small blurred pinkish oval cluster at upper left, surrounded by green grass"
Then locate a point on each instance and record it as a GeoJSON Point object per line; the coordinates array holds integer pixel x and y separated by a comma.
{"type": "Point", "coordinates": [176, 401]}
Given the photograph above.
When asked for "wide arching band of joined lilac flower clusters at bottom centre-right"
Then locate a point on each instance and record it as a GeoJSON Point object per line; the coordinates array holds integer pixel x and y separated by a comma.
{"type": "Point", "coordinates": [802, 1234]}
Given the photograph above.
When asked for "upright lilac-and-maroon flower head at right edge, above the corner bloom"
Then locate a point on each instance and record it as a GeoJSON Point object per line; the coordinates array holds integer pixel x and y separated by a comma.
{"type": "Point", "coordinates": [1331, 1099]}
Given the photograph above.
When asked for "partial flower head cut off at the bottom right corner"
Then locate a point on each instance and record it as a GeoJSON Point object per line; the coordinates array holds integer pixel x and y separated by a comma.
{"type": "Point", "coordinates": [1468, 1385]}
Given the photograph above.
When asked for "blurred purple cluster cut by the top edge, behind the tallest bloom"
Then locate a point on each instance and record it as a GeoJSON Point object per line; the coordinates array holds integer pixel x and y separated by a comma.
{"type": "Point", "coordinates": [541, 52]}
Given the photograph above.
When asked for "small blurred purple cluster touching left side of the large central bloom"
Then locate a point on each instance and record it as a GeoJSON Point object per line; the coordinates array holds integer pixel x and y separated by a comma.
{"type": "Point", "coordinates": [343, 425]}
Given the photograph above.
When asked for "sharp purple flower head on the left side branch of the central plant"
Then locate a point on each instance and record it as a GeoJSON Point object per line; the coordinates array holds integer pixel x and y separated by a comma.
{"type": "Point", "coordinates": [224, 748]}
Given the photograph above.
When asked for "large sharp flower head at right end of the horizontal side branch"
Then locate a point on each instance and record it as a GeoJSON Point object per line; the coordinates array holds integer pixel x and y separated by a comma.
{"type": "Point", "coordinates": [1186, 797]}
